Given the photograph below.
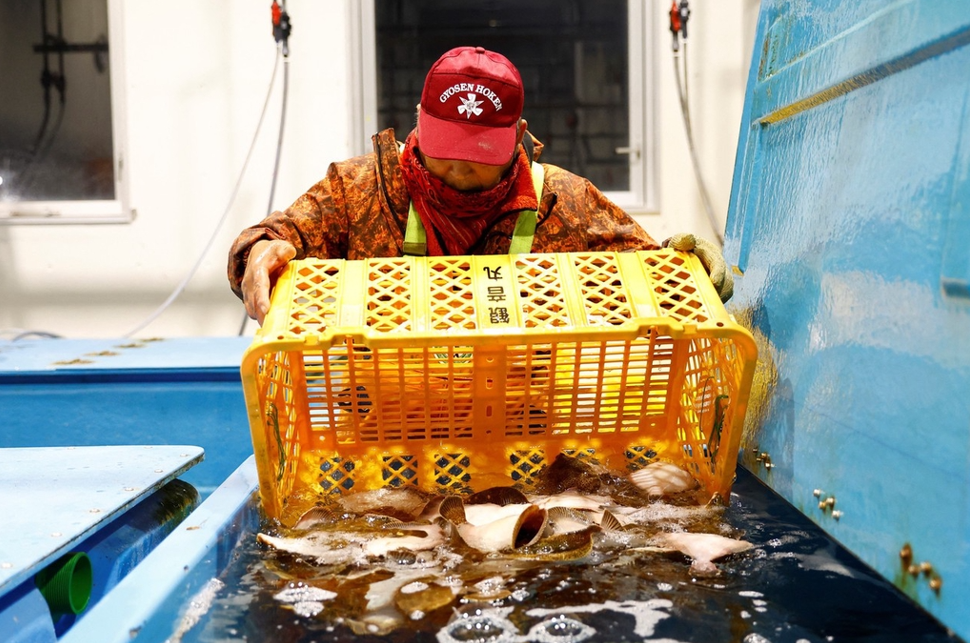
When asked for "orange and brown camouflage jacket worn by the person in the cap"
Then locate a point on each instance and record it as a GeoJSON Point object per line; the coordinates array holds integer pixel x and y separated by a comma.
{"type": "Point", "coordinates": [360, 210]}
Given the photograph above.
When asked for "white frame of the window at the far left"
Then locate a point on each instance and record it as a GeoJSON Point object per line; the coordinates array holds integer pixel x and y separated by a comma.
{"type": "Point", "coordinates": [91, 211]}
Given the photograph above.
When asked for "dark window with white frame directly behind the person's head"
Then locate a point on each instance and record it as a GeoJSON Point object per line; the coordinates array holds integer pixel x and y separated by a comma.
{"type": "Point", "coordinates": [585, 66]}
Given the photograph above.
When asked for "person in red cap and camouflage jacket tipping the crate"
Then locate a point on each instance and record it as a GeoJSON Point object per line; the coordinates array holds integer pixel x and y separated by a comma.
{"type": "Point", "coordinates": [466, 180]}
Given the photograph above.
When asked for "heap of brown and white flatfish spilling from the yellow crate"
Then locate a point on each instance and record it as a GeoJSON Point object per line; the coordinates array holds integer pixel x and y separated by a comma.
{"type": "Point", "coordinates": [396, 555]}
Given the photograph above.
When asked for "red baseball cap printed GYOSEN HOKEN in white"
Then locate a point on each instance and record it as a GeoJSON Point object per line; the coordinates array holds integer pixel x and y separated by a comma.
{"type": "Point", "coordinates": [470, 107]}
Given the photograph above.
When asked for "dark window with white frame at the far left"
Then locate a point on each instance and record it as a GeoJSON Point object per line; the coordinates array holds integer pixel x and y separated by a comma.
{"type": "Point", "coordinates": [61, 133]}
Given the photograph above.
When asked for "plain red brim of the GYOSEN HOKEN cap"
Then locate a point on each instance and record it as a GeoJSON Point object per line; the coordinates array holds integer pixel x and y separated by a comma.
{"type": "Point", "coordinates": [458, 141]}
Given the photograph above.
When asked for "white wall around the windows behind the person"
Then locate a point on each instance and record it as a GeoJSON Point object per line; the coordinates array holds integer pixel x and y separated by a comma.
{"type": "Point", "coordinates": [197, 77]}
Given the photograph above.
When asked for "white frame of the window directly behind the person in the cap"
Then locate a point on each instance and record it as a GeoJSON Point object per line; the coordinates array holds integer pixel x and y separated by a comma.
{"type": "Point", "coordinates": [642, 196]}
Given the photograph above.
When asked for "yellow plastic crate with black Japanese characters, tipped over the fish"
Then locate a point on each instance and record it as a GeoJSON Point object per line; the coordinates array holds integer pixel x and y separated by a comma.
{"type": "Point", "coordinates": [460, 373]}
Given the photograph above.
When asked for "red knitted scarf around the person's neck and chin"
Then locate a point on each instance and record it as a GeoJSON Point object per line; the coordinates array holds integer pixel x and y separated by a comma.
{"type": "Point", "coordinates": [462, 217]}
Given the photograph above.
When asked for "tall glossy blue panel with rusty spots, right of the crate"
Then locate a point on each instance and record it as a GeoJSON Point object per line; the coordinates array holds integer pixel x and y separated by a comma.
{"type": "Point", "coordinates": [849, 229]}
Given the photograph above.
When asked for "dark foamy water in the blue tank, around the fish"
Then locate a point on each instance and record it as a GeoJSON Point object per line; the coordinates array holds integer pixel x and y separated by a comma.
{"type": "Point", "coordinates": [795, 586]}
